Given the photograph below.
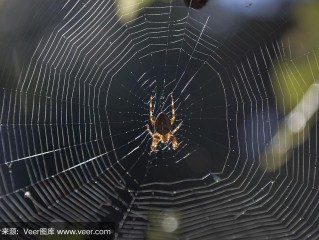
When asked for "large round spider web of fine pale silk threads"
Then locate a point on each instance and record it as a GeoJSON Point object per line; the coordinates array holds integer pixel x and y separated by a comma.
{"type": "Point", "coordinates": [75, 102]}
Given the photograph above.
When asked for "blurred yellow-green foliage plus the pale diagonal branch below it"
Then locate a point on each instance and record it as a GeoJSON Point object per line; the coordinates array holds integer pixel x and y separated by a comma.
{"type": "Point", "coordinates": [294, 76]}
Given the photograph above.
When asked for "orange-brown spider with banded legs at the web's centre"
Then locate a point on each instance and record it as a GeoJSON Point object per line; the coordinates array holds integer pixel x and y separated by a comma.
{"type": "Point", "coordinates": [163, 126]}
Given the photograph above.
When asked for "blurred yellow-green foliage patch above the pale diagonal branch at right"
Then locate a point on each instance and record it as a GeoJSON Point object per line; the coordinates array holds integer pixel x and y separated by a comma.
{"type": "Point", "coordinates": [299, 68]}
